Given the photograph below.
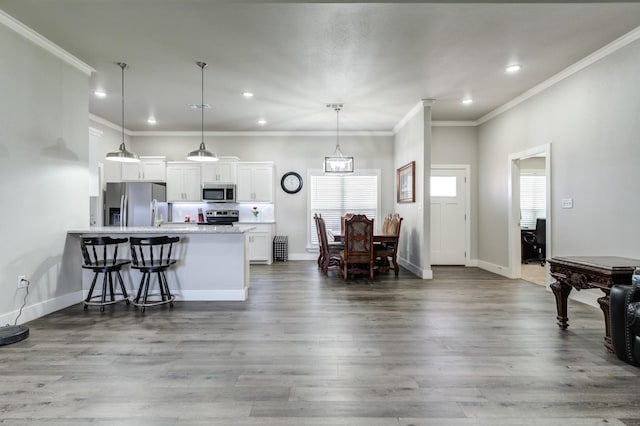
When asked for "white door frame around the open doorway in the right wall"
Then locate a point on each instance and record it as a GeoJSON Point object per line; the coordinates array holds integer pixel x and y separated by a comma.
{"type": "Point", "coordinates": [515, 268]}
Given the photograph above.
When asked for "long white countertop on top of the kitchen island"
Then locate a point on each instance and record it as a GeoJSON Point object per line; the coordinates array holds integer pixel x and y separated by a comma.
{"type": "Point", "coordinates": [164, 229]}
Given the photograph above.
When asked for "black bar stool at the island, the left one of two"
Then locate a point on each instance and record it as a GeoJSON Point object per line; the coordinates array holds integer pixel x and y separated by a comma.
{"type": "Point", "coordinates": [101, 256]}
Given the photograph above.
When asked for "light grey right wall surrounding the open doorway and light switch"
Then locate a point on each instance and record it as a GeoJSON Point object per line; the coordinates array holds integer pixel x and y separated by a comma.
{"type": "Point", "coordinates": [592, 121]}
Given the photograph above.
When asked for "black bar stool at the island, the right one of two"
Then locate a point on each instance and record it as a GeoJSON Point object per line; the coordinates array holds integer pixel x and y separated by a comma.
{"type": "Point", "coordinates": [152, 255]}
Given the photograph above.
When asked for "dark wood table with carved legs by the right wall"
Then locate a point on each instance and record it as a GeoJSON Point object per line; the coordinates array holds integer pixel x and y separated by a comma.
{"type": "Point", "coordinates": [584, 272]}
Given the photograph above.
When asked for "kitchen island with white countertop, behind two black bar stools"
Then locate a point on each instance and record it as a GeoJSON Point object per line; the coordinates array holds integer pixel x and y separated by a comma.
{"type": "Point", "coordinates": [213, 262]}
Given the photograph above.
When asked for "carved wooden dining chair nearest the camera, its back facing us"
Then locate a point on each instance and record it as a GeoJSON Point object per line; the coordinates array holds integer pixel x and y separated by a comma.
{"type": "Point", "coordinates": [357, 256]}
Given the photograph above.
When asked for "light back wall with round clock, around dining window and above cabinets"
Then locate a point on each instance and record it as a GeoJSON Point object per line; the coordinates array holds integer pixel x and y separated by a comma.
{"type": "Point", "coordinates": [289, 153]}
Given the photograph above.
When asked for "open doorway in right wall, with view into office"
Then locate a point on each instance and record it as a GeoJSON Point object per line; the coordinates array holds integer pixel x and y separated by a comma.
{"type": "Point", "coordinates": [519, 163]}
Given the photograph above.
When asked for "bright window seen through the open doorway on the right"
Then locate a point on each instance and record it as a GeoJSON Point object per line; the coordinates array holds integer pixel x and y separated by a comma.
{"type": "Point", "coordinates": [533, 198]}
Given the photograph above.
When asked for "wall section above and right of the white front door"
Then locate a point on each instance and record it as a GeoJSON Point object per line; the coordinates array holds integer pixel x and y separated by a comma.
{"type": "Point", "coordinates": [458, 145]}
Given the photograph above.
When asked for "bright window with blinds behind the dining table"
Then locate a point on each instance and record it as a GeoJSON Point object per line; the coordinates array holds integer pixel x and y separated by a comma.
{"type": "Point", "coordinates": [334, 195]}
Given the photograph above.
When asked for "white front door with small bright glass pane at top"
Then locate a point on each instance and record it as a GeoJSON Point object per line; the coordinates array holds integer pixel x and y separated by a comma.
{"type": "Point", "coordinates": [448, 216]}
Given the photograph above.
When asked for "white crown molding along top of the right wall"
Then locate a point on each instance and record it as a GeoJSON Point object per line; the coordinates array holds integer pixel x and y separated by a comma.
{"type": "Point", "coordinates": [601, 53]}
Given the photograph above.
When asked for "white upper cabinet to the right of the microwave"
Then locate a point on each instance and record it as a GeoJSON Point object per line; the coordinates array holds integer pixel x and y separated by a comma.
{"type": "Point", "coordinates": [255, 182]}
